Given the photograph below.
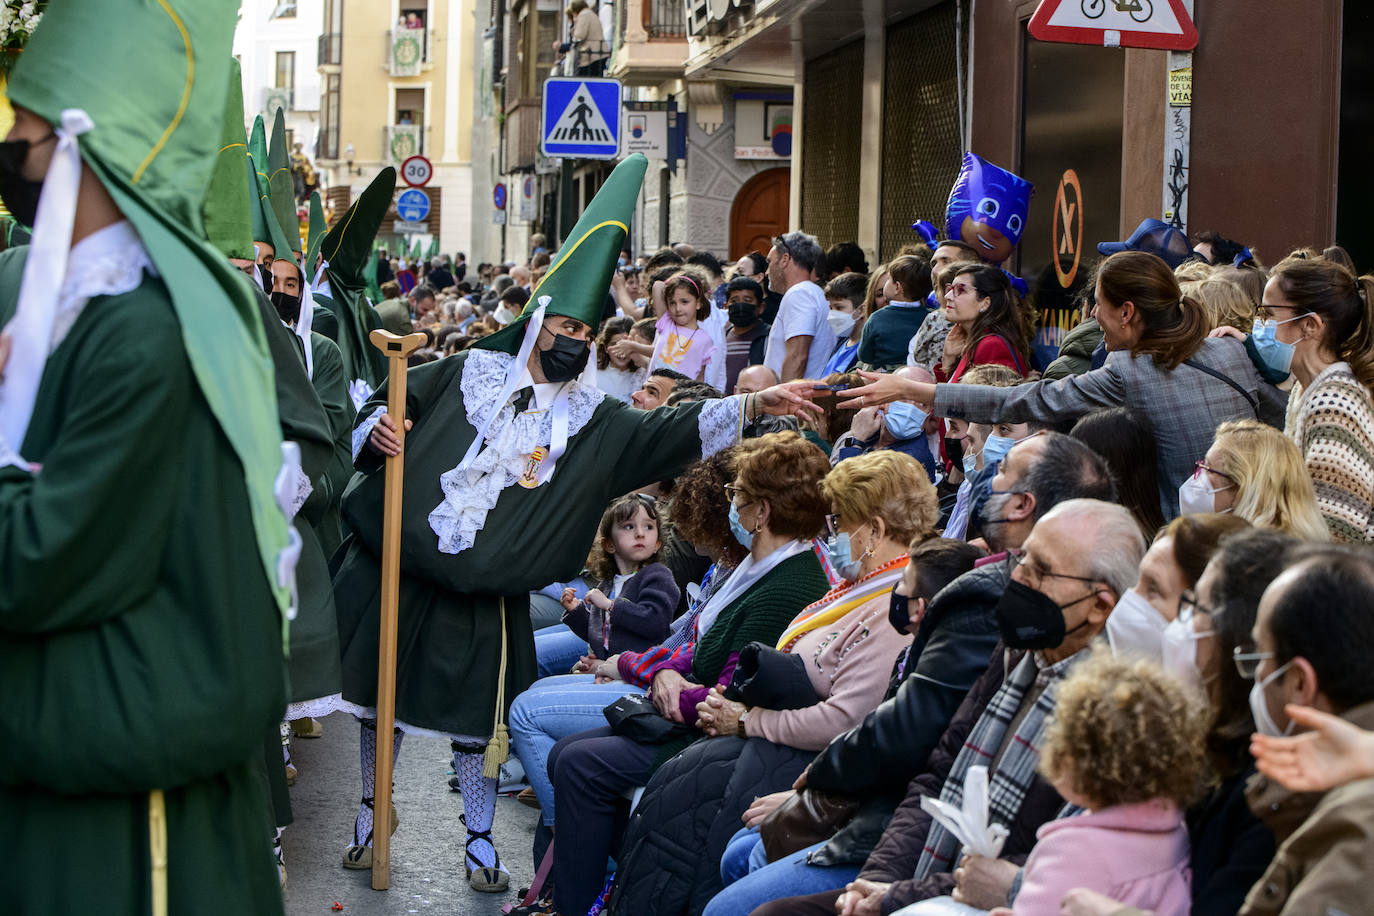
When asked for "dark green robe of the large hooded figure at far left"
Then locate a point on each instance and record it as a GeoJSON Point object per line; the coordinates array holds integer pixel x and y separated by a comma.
{"type": "Point", "coordinates": [141, 645]}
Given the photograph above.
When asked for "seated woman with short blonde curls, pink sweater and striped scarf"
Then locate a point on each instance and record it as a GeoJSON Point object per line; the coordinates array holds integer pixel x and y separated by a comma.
{"type": "Point", "coordinates": [881, 503]}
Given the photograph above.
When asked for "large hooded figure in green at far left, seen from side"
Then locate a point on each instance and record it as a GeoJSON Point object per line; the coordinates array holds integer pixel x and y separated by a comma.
{"type": "Point", "coordinates": [144, 546]}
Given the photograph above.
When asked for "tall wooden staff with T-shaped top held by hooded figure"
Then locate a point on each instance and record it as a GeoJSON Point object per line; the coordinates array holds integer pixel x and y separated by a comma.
{"type": "Point", "coordinates": [396, 350]}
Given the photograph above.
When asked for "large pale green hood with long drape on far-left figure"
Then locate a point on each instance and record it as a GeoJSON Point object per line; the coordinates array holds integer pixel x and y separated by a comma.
{"type": "Point", "coordinates": [155, 78]}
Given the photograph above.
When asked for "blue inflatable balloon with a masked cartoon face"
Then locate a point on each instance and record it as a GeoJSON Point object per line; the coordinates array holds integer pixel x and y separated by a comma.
{"type": "Point", "coordinates": [989, 208]}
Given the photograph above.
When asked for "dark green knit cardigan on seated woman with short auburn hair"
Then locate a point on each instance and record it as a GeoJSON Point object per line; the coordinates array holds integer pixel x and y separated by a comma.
{"type": "Point", "coordinates": [761, 615]}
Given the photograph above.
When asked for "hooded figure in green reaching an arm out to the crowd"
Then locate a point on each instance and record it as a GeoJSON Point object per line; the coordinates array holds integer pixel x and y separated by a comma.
{"type": "Point", "coordinates": [512, 461]}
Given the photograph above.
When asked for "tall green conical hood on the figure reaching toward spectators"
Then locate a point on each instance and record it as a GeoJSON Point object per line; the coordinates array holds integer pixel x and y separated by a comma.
{"type": "Point", "coordinates": [578, 279]}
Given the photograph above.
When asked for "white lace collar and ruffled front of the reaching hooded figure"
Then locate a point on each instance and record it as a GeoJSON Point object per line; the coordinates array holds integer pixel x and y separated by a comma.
{"type": "Point", "coordinates": [472, 492]}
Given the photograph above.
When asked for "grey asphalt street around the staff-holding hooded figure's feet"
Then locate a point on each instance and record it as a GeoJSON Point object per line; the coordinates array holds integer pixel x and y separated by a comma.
{"type": "Point", "coordinates": [427, 851]}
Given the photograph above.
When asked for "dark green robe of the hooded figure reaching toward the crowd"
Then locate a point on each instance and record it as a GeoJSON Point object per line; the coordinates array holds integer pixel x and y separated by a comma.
{"type": "Point", "coordinates": [450, 626]}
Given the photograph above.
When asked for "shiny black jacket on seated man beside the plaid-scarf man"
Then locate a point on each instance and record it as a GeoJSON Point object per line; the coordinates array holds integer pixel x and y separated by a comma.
{"type": "Point", "coordinates": [879, 757]}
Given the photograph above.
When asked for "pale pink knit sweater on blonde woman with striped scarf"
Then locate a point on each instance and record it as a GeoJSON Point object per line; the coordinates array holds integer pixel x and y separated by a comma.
{"type": "Point", "coordinates": [850, 664]}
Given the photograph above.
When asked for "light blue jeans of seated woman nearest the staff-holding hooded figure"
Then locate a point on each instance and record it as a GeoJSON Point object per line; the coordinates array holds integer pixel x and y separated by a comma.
{"type": "Point", "coordinates": [552, 709]}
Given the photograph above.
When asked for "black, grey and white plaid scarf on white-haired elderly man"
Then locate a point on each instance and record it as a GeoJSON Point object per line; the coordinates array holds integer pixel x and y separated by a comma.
{"type": "Point", "coordinates": [1017, 768]}
